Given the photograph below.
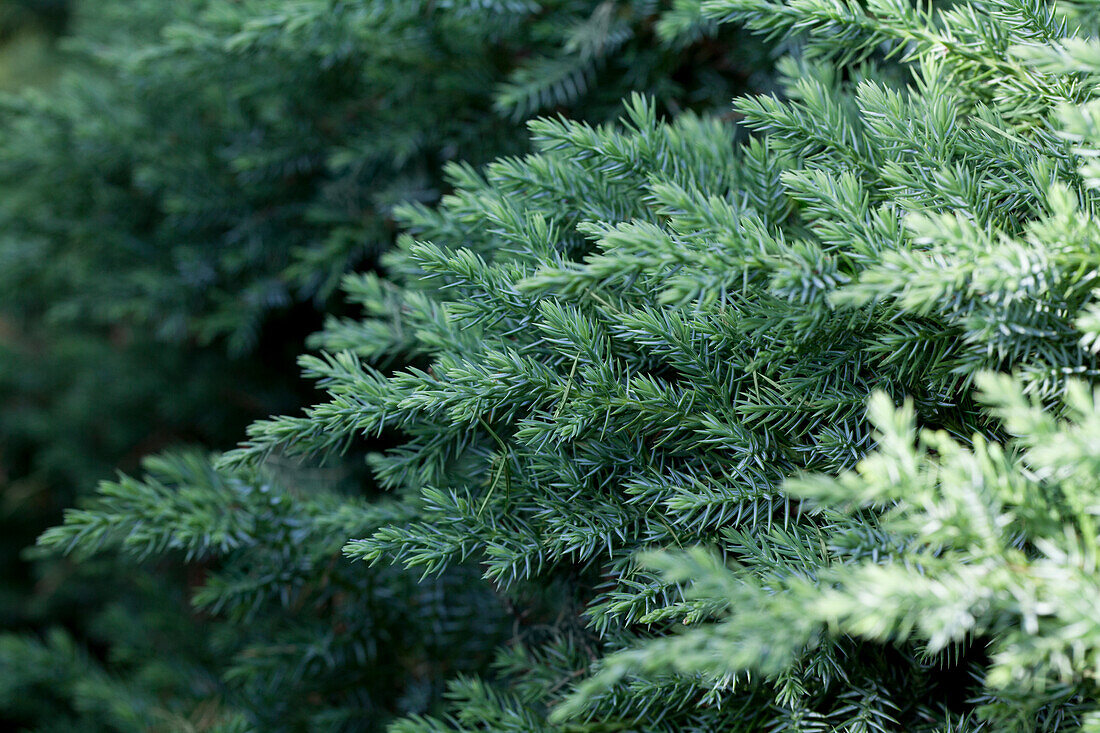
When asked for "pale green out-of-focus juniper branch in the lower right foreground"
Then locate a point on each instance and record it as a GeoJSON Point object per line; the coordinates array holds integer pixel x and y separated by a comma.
{"type": "Point", "coordinates": [987, 561]}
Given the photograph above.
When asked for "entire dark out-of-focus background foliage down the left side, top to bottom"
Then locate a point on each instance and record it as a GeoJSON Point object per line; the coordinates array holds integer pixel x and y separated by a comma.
{"type": "Point", "coordinates": [183, 184]}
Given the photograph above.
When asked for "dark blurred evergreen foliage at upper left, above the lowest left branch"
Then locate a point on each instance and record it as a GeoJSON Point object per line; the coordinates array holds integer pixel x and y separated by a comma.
{"type": "Point", "coordinates": [204, 172]}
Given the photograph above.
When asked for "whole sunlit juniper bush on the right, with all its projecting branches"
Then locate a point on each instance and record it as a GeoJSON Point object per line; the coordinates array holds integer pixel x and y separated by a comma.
{"type": "Point", "coordinates": [648, 338]}
